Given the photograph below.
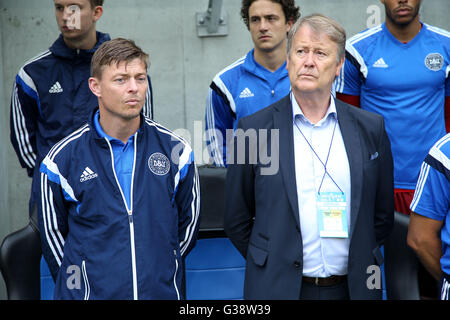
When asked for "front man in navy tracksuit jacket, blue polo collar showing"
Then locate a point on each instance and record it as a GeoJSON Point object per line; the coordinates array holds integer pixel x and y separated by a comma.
{"type": "Point", "coordinates": [120, 196]}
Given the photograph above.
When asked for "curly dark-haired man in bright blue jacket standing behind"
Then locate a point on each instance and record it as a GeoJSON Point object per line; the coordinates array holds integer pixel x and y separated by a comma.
{"type": "Point", "coordinates": [257, 79]}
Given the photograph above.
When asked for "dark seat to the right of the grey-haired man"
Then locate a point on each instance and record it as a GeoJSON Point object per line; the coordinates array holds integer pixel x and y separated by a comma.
{"type": "Point", "coordinates": [401, 263]}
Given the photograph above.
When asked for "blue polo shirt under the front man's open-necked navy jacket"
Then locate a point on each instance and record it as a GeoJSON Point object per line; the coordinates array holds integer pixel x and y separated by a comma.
{"type": "Point", "coordinates": [123, 159]}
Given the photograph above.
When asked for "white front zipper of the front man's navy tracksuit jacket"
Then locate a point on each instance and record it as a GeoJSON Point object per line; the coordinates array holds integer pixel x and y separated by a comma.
{"type": "Point", "coordinates": [129, 212]}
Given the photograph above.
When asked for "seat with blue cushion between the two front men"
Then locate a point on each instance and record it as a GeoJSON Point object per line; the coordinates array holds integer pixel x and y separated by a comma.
{"type": "Point", "coordinates": [214, 269]}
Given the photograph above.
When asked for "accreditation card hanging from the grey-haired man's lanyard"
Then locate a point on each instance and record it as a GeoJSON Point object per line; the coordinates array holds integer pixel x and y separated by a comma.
{"type": "Point", "coordinates": [332, 215]}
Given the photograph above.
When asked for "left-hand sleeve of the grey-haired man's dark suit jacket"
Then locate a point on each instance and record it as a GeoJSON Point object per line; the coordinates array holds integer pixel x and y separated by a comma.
{"type": "Point", "coordinates": [239, 197]}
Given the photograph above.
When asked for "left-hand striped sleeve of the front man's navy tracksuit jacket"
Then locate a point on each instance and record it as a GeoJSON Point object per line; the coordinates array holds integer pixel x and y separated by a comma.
{"type": "Point", "coordinates": [53, 214]}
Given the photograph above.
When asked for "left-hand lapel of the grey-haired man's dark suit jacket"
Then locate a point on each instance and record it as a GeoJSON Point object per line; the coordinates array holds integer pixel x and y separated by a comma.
{"type": "Point", "coordinates": [282, 118]}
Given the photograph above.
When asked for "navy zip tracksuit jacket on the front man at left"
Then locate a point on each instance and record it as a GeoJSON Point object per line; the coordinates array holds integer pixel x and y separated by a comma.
{"type": "Point", "coordinates": [95, 245]}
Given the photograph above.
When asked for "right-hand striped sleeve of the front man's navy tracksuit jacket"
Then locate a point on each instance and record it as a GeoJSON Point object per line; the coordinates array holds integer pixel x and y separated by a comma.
{"type": "Point", "coordinates": [187, 199]}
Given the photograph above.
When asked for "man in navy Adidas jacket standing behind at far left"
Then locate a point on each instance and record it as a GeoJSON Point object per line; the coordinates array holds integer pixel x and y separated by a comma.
{"type": "Point", "coordinates": [51, 96]}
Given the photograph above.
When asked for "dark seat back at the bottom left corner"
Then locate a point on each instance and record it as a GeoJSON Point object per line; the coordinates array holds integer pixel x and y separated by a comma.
{"type": "Point", "coordinates": [20, 254]}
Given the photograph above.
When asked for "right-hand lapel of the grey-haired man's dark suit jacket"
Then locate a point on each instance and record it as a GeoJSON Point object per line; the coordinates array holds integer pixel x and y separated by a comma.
{"type": "Point", "coordinates": [352, 142]}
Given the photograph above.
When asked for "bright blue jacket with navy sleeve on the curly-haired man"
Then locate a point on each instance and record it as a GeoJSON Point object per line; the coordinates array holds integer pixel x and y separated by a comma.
{"type": "Point", "coordinates": [239, 90]}
